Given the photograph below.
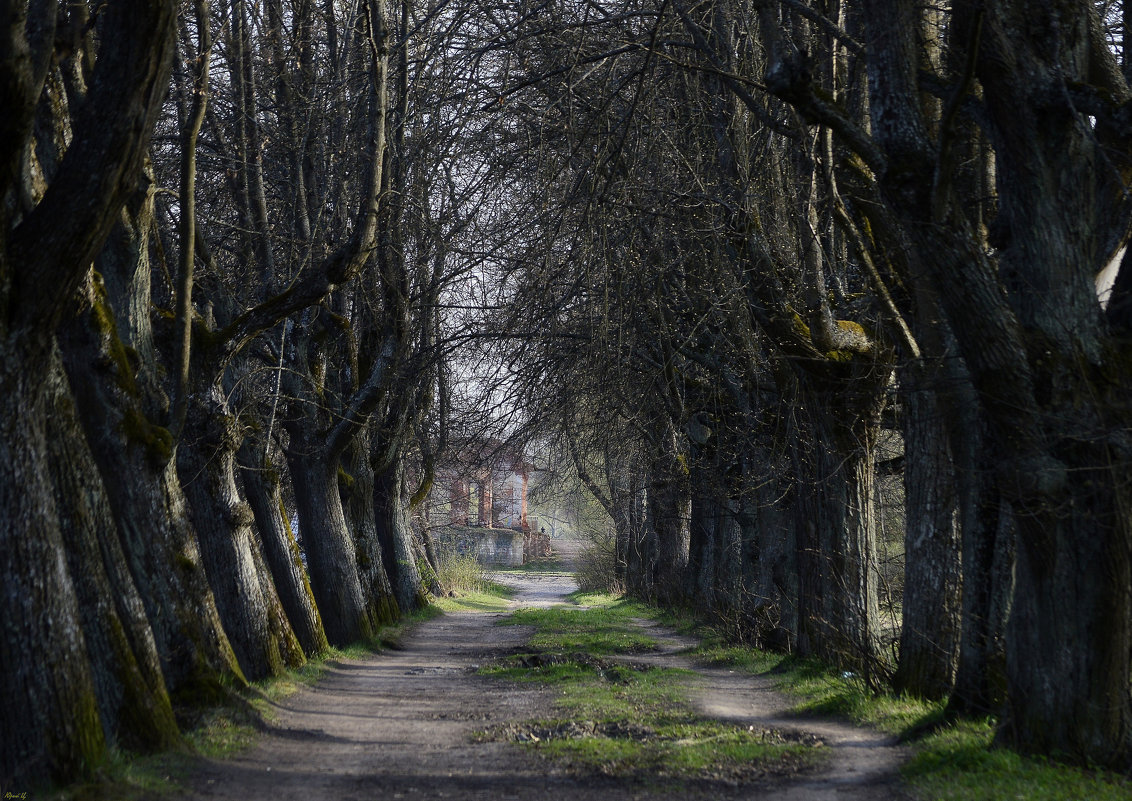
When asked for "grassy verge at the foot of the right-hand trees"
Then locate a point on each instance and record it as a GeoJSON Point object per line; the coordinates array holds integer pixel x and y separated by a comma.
{"type": "Point", "coordinates": [956, 762]}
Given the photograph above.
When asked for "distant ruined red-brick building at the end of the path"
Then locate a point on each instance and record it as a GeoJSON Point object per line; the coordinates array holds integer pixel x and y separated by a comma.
{"type": "Point", "coordinates": [486, 485]}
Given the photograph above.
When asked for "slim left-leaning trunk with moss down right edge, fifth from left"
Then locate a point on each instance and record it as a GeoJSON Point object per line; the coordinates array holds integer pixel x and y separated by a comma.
{"type": "Point", "coordinates": [281, 552]}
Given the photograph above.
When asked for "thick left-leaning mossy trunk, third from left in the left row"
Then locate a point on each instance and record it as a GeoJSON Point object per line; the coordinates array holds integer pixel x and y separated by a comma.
{"type": "Point", "coordinates": [149, 506]}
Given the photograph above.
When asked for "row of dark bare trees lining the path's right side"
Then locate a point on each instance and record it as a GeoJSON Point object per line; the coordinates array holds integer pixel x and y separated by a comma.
{"type": "Point", "coordinates": [778, 236]}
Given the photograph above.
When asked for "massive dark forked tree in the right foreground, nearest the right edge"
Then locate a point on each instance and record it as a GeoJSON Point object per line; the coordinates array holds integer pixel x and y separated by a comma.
{"type": "Point", "coordinates": [1052, 383]}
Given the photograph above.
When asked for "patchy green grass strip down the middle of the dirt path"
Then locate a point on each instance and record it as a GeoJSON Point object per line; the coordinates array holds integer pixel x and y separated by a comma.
{"type": "Point", "coordinates": [623, 718]}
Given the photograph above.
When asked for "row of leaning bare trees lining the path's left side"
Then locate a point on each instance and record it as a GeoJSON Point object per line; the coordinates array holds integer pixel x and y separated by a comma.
{"type": "Point", "coordinates": [227, 234]}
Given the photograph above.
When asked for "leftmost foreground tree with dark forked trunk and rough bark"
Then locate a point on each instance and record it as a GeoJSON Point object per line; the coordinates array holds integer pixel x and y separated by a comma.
{"type": "Point", "coordinates": [49, 709]}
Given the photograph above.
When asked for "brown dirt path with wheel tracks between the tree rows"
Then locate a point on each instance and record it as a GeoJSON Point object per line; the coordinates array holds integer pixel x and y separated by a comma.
{"type": "Point", "coordinates": [400, 726]}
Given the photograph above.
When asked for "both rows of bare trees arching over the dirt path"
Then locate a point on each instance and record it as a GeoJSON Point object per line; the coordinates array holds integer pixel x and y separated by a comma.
{"type": "Point", "coordinates": [735, 266]}
